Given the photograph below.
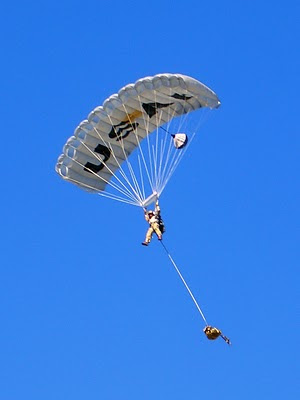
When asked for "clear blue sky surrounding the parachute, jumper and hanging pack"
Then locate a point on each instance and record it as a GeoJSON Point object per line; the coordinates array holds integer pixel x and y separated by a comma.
{"type": "Point", "coordinates": [86, 311]}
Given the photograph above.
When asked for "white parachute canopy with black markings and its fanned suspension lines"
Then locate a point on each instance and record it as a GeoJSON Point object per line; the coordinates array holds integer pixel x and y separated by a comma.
{"type": "Point", "coordinates": [136, 120]}
